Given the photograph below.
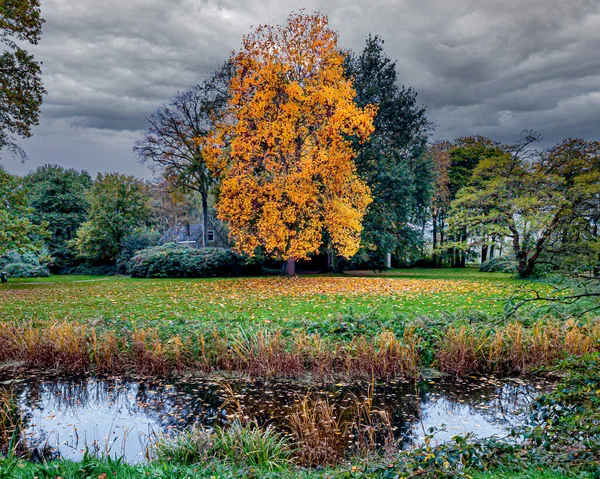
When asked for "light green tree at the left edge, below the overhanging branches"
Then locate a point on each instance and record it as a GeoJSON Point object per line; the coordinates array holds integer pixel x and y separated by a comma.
{"type": "Point", "coordinates": [17, 232]}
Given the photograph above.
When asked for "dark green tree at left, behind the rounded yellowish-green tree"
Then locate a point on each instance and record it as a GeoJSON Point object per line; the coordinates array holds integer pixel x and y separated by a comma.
{"type": "Point", "coordinates": [58, 199]}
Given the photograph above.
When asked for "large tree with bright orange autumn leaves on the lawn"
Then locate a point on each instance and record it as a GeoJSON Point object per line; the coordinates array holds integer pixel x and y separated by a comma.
{"type": "Point", "coordinates": [284, 149]}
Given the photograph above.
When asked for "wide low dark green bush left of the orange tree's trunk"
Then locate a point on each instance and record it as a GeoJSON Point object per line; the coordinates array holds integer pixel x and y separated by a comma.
{"type": "Point", "coordinates": [173, 261]}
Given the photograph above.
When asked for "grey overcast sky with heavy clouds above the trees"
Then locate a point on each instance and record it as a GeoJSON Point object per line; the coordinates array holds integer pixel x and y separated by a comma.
{"type": "Point", "coordinates": [489, 67]}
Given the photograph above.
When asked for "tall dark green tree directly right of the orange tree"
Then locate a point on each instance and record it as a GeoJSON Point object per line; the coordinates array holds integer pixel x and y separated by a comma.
{"type": "Point", "coordinates": [392, 161]}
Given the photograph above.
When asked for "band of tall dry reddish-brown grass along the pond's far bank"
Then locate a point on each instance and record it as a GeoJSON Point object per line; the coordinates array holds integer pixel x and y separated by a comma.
{"type": "Point", "coordinates": [460, 349]}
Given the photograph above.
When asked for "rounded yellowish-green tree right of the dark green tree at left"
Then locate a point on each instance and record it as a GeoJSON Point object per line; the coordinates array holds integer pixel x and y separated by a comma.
{"type": "Point", "coordinates": [118, 204]}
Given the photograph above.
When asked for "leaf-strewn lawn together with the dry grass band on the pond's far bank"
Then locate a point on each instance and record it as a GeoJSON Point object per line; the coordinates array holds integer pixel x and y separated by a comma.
{"type": "Point", "coordinates": [365, 325]}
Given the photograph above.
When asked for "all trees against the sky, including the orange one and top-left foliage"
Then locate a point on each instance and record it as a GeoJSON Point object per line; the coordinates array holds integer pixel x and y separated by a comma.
{"type": "Point", "coordinates": [306, 150]}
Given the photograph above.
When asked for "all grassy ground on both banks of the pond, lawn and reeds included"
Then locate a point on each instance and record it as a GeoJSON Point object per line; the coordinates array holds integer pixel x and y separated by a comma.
{"type": "Point", "coordinates": [364, 325]}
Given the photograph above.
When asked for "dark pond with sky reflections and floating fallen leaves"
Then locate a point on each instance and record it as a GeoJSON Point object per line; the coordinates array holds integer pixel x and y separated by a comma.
{"type": "Point", "coordinates": [64, 416]}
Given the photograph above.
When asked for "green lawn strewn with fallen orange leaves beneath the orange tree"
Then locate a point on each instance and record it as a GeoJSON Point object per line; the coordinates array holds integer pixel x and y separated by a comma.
{"type": "Point", "coordinates": [270, 302]}
